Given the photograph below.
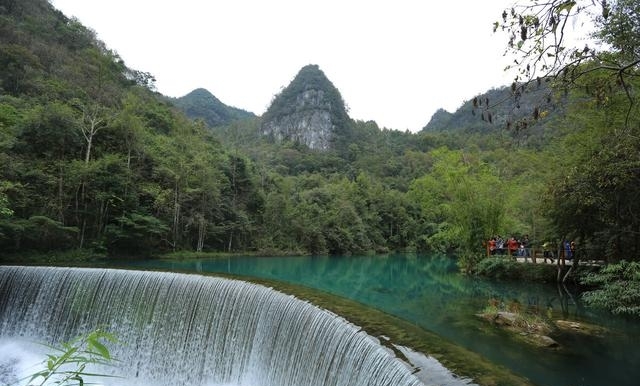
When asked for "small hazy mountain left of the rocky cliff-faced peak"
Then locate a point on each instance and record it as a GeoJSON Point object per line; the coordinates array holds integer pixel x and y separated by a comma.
{"type": "Point", "coordinates": [201, 104]}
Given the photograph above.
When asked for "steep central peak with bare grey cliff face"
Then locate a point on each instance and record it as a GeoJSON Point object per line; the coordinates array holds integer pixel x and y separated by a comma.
{"type": "Point", "coordinates": [309, 111]}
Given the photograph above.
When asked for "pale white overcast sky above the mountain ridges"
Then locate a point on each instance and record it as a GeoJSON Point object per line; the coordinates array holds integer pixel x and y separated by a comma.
{"type": "Point", "coordinates": [395, 62]}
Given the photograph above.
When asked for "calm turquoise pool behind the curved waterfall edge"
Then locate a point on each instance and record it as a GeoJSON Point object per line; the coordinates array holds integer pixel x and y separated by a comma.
{"type": "Point", "coordinates": [428, 291]}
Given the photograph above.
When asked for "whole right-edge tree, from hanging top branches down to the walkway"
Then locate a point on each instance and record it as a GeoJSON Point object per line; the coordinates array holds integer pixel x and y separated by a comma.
{"type": "Point", "coordinates": [594, 196]}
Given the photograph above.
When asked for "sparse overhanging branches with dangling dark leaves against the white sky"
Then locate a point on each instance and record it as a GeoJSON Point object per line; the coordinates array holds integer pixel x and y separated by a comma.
{"type": "Point", "coordinates": [540, 35]}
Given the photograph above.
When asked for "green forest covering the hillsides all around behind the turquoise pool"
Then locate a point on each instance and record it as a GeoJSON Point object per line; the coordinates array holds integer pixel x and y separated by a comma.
{"type": "Point", "coordinates": [95, 160]}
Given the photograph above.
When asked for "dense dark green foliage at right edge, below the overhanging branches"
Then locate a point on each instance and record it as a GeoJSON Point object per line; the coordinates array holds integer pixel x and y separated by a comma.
{"type": "Point", "coordinates": [594, 197]}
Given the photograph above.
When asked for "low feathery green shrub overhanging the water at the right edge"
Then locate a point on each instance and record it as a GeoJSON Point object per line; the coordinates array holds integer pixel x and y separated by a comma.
{"type": "Point", "coordinates": [617, 288]}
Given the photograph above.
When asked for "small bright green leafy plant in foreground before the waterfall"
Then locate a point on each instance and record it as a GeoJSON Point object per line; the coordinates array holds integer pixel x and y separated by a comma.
{"type": "Point", "coordinates": [68, 364]}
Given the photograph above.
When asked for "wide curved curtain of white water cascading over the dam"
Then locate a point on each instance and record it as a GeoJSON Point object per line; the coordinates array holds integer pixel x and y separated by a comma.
{"type": "Point", "coordinates": [180, 329]}
